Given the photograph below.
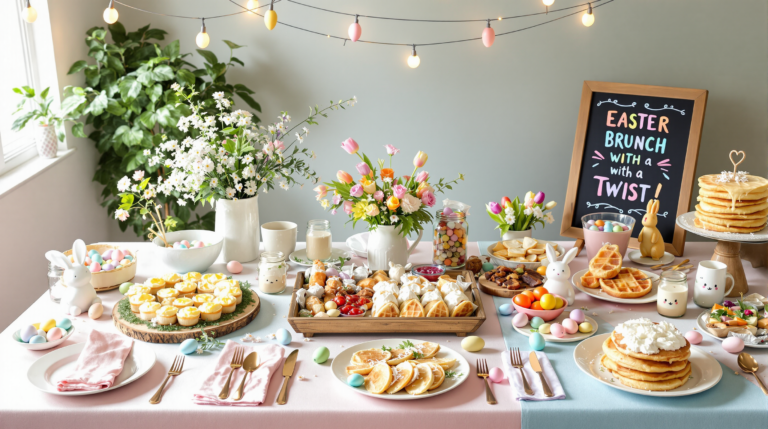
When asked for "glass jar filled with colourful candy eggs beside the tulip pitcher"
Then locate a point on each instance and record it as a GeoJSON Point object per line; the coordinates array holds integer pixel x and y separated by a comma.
{"type": "Point", "coordinates": [450, 239]}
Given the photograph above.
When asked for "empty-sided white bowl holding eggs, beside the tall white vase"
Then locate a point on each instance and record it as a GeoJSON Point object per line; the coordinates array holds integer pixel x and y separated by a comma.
{"type": "Point", "coordinates": [196, 259]}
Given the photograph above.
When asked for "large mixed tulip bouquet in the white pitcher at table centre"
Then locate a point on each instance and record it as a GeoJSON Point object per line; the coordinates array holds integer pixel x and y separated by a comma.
{"type": "Point", "coordinates": [380, 198]}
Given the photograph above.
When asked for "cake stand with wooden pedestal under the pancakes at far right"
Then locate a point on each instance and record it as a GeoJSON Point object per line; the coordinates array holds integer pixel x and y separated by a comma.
{"type": "Point", "coordinates": [731, 248]}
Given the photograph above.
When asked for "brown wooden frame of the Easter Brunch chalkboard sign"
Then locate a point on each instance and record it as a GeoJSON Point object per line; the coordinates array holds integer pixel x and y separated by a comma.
{"type": "Point", "coordinates": [699, 98]}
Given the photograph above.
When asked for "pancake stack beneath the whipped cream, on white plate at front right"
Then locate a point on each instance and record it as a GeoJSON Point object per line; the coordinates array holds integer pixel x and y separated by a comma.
{"type": "Point", "coordinates": [665, 370]}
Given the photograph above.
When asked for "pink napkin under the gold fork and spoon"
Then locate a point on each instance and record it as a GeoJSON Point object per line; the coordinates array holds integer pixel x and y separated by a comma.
{"type": "Point", "coordinates": [255, 390]}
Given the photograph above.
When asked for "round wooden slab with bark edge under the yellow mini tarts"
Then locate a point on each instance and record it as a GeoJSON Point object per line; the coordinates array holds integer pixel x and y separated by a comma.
{"type": "Point", "coordinates": [149, 335]}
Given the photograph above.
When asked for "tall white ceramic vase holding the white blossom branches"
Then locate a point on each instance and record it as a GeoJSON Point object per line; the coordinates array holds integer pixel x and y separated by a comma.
{"type": "Point", "coordinates": [238, 222]}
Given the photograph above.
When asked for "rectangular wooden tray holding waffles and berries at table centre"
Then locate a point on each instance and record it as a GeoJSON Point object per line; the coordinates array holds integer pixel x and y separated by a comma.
{"type": "Point", "coordinates": [461, 326]}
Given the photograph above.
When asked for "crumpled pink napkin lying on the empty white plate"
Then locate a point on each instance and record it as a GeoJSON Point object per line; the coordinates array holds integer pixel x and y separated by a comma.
{"type": "Point", "coordinates": [100, 362]}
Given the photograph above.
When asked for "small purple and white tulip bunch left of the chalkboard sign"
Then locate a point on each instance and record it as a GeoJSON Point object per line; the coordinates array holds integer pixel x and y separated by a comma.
{"type": "Point", "coordinates": [512, 215]}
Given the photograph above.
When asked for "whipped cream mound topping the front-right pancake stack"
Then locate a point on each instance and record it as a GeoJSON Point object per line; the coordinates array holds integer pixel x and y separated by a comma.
{"type": "Point", "coordinates": [644, 336]}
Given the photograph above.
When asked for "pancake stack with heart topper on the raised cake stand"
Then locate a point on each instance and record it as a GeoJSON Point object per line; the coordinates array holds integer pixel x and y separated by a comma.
{"type": "Point", "coordinates": [729, 202]}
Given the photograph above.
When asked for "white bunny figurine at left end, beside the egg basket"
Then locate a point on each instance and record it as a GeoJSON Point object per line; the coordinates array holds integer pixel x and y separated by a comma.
{"type": "Point", "coordinates": [79, 294]}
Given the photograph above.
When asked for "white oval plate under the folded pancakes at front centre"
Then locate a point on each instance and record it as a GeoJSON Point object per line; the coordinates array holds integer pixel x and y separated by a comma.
{"type": "Point", "coordinates": [461, 367]}
